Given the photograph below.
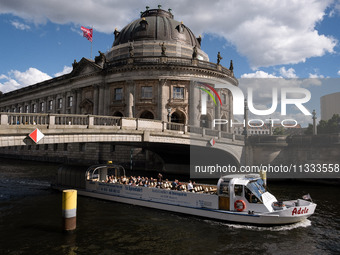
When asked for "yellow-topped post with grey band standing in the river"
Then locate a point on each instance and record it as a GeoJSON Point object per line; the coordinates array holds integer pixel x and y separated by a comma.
{"type": "Point", "coordinates": [69, 208]}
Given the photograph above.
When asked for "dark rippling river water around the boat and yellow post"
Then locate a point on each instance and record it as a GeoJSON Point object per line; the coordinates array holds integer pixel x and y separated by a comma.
{"type": "Point", "coordinates": [30, 221]}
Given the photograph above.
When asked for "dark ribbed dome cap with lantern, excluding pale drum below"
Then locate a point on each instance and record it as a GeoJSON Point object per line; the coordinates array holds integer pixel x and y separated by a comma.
{"type": "Point", "coordinates": [156, 24]}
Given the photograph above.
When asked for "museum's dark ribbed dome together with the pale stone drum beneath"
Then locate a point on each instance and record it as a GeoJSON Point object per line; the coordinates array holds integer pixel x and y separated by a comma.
{"type": "Point", "coordinates": [155, 31]}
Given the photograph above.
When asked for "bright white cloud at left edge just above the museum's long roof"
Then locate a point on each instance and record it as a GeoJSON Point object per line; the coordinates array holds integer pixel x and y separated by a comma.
{"type": "Point", "coordinates": [16, 79]}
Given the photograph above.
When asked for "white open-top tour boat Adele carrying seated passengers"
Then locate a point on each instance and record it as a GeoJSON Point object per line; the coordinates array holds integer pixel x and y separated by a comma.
{"type": "Point", "coordinates": [235, 198]}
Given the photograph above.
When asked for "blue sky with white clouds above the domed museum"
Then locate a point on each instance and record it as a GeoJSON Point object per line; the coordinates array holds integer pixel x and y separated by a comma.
{"type": "Point", "coordinates": [265, 39]}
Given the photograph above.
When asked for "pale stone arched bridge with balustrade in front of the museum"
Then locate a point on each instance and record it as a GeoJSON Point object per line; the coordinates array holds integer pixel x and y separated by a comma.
{"type": "Point", "coordinates": [166, 139]}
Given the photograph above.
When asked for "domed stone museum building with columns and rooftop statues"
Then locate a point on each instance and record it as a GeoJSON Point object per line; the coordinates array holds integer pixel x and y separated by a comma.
{"type": "Point", "coordinates": [152, 71]}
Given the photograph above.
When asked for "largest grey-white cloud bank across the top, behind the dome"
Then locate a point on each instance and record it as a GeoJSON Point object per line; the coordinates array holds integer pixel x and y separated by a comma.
{"type": "Point", "coordinates": [268, 33]}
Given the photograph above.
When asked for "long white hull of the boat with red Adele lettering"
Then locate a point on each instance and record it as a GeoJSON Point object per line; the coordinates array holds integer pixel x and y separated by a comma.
{"type": "Point", "coordinates": [197, 204]}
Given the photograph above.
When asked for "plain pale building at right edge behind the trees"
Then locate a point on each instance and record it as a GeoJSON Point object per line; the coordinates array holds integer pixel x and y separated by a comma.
{"type": "Point", "coordinates": [330, 105]}
